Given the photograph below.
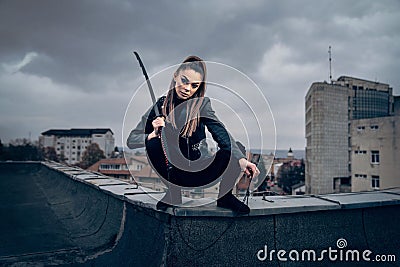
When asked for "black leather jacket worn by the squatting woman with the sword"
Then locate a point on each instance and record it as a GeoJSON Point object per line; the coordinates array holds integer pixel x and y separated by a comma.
{"type": "Point", "coordinates": [192, 147]}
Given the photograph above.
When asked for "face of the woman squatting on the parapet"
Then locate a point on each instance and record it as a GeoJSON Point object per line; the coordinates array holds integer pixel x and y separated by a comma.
{"type": "Point", "coordinates": [187, 82]}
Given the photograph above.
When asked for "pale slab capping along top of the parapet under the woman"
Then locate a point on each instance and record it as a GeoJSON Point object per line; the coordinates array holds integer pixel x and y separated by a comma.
{"type": "Point", "coordinates": [145, 197]}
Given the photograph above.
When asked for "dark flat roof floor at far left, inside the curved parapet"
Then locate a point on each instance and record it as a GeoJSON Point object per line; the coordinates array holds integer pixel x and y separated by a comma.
{"type": "Point", "coordinates": [28, 224]}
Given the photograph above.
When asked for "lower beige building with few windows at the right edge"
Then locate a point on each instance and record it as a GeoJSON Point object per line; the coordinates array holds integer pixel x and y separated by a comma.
{"type": "Point", "coordinates": [375, 153]}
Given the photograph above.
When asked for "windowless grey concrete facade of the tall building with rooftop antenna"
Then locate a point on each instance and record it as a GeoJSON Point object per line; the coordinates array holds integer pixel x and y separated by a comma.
{"type": "Point", "coordinates": [327, 137]}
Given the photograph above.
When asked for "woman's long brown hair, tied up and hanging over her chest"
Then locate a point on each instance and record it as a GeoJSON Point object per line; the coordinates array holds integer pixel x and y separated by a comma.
{"type": "Point", "coordinates": [192, 112]}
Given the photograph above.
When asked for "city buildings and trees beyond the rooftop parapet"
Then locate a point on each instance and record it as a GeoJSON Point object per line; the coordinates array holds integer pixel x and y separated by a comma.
{"type": "Point", "coordinates": [352, 144]}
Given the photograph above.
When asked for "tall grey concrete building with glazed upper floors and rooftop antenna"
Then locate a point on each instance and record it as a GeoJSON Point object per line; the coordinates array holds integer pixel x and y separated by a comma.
{"type": "Point", "coordinates": [331, 109]}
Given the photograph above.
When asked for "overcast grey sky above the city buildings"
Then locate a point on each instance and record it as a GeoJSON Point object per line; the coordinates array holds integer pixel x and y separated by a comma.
{"type": "Point", "coordinates": [69, 64]}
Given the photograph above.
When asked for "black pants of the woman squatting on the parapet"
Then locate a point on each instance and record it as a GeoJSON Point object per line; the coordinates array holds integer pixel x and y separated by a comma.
{"type": "Point", "coordinates": [223, 166]}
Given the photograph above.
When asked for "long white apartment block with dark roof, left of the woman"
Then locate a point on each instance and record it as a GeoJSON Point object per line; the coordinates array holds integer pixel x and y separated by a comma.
{"type": "Point", "coordinates": [70, 144]}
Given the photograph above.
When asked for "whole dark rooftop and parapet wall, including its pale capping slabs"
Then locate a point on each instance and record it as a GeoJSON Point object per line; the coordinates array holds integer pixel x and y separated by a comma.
{"type": "Point", "coordinates": [98, 221]}
